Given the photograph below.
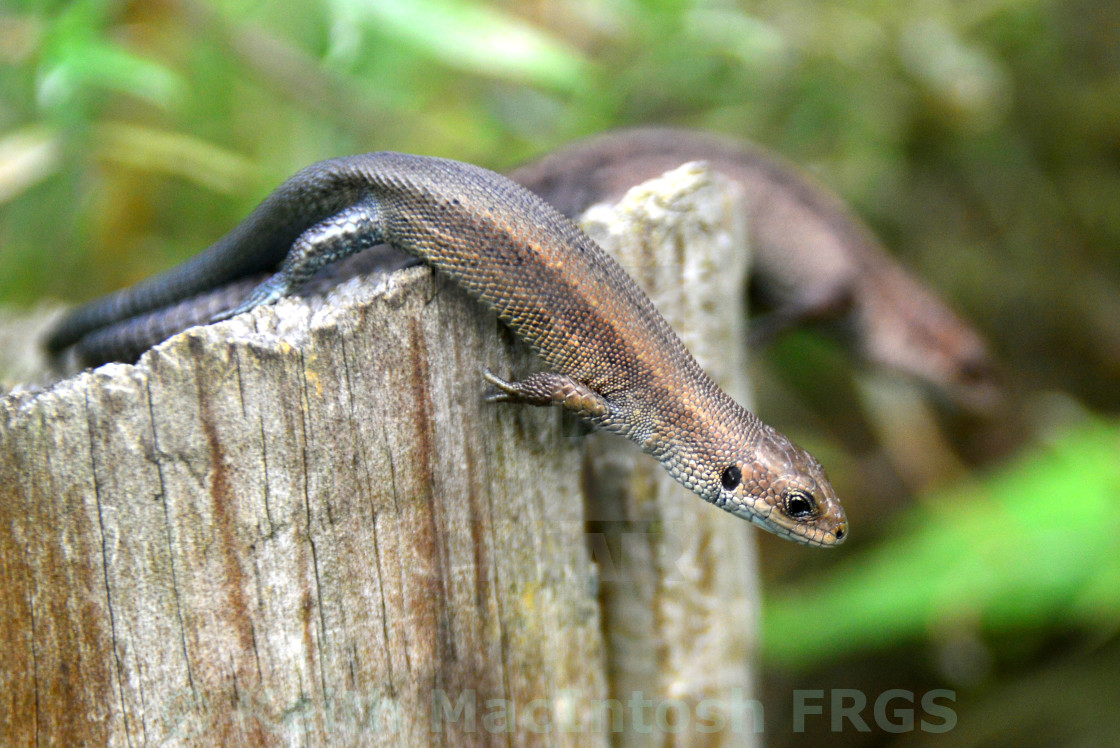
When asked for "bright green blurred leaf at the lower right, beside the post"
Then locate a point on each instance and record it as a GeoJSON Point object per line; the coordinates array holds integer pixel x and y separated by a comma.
{"type": "Point", "coordinates": [1024, 547]}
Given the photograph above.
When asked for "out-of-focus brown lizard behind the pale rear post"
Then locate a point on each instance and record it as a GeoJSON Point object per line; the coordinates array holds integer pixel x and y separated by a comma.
{"type": "Point", "coordinates": [815, 261]}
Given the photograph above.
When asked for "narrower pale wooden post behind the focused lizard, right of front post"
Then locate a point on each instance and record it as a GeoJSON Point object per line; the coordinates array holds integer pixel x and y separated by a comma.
{"type": "Point", "coordinates": [680, 604]}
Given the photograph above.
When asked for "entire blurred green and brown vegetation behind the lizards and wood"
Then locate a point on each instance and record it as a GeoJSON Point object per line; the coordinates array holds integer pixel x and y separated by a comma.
{"type": "Point", "coordinates": [981, 138]}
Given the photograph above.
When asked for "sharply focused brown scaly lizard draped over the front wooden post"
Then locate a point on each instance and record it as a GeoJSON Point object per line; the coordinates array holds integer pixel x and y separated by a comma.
{"type": "Point", "coordinates": [610, 356]}
